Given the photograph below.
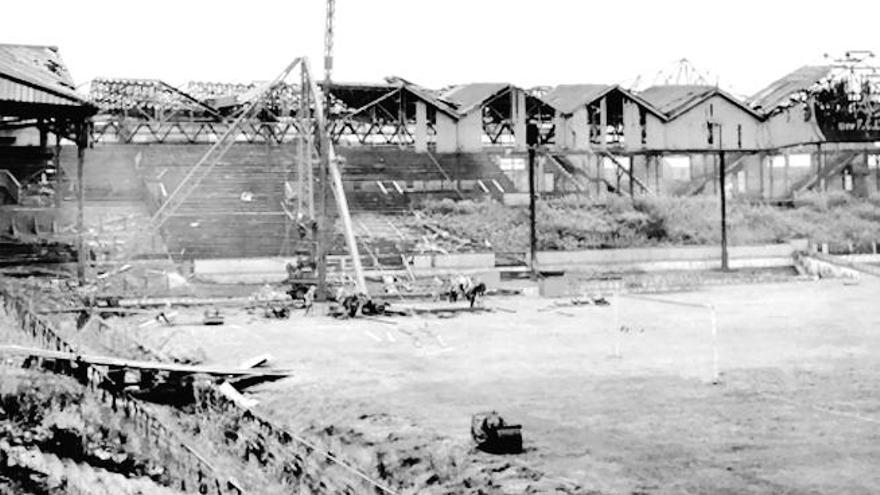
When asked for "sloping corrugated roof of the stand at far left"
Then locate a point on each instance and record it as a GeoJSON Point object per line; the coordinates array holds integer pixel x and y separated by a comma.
{"type": "Point", "coordinates": [36, 74]}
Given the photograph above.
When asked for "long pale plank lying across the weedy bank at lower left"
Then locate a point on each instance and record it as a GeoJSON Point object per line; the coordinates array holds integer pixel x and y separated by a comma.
{"type": "Point", "coordinates": [141, 365]}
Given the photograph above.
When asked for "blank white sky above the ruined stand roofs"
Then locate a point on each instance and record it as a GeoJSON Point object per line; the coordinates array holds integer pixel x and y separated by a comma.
{"type": "Point", "coordinates": [746, 43]}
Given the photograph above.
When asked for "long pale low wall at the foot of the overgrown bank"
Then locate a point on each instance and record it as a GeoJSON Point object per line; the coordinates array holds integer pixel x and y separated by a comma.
{"type": "Point", "coordinates": [672, 258]}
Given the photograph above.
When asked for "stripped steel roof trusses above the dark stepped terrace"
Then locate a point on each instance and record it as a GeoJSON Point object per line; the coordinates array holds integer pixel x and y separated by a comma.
{"type": "Point", "coordinates": [146, 111]}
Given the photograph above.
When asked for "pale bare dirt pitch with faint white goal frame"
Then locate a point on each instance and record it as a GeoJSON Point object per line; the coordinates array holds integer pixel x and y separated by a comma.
{"type": "Point", "coordinates": [797, 409]}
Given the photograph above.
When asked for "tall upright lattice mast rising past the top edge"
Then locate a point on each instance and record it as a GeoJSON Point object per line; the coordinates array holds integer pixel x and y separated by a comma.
{"type": "Point", "coordinates": [323, 224]}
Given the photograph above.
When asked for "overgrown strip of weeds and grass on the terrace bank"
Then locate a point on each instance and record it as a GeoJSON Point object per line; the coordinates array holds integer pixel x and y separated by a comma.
{"type": "Point", "coordinates": [572, 222]}
